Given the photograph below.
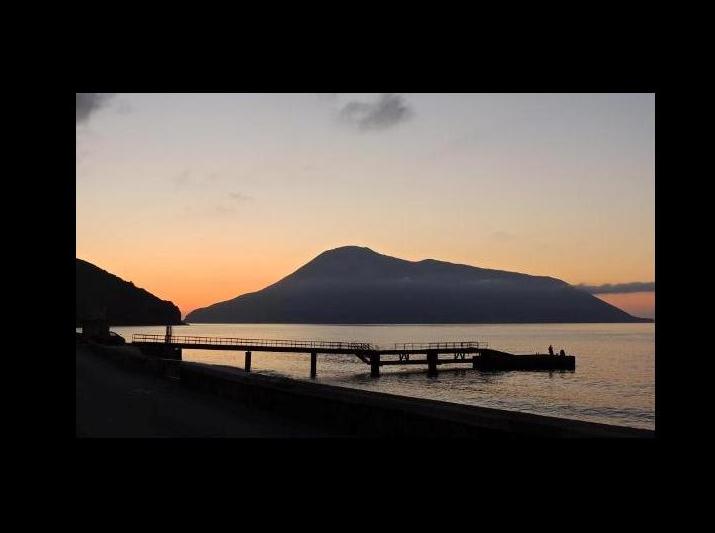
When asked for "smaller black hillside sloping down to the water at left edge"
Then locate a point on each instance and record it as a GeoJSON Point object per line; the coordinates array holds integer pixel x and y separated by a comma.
{"type": "Point", "coordinates": [100, 294]}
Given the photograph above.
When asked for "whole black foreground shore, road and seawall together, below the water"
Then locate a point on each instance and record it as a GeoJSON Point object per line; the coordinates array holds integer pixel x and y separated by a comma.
{"type": "Point", "coordinates": [124, 393]}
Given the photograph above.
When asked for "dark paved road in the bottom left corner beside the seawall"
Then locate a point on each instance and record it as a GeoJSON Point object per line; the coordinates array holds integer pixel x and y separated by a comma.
{"type": "Point", "coordinates": [115, 402]}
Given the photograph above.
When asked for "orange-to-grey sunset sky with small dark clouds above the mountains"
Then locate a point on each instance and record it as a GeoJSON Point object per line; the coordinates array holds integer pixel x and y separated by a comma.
{"type": "Point", "coordinates": [199, 198]}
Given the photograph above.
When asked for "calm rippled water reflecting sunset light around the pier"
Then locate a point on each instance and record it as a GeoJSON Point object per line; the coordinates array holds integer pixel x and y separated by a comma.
{"type": "Point", "coordinates": [614, 381]}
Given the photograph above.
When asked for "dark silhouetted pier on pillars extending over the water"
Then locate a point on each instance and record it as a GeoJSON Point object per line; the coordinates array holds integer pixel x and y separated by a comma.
{"type": "Point", "coordinates": [478, 355]}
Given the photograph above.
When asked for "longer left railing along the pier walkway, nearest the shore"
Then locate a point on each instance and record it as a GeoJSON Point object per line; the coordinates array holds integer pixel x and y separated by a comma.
{"type": "Point", "coordinates": [233, 341]}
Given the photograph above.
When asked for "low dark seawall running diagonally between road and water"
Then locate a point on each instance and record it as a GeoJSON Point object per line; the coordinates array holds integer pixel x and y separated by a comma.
{"type": "Point", "coordinates": [363, 413]}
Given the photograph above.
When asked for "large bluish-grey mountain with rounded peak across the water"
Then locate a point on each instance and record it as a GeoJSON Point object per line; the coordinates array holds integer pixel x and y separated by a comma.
{"type": "Point", "coordinates": [355, 285]}
